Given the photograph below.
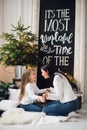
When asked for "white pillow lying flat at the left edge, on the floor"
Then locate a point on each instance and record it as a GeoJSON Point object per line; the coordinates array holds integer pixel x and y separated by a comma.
{"type": "Point", "coordinates": [8, 104]}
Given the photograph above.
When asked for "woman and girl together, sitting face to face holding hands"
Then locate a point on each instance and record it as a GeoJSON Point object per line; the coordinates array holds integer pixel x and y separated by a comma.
{"type": "Point", "coordinates": [62, 98]}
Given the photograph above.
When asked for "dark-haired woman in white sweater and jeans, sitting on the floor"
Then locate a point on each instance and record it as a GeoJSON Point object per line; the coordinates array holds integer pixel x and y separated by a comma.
{"type": "Point", "coordinates": [63, 98]}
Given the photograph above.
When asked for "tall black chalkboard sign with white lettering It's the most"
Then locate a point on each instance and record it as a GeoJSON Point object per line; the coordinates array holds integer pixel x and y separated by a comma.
{"type": "Point", "coordinates": [56, 36]}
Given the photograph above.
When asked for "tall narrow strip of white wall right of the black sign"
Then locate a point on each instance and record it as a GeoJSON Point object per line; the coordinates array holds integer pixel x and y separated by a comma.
{"type": "Point", "coordinates": [79, 63]}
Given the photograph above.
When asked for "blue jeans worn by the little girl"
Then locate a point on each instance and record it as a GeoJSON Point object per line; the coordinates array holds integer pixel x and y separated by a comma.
{"type": "Point", "coordinates": [31, 107]}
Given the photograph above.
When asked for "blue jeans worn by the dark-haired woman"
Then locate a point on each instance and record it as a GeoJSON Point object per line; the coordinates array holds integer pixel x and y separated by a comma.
{"type": "Point", "coordinates": [57, 108]}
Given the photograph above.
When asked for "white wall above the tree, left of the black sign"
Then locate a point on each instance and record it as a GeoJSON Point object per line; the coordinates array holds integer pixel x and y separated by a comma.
{"type": "Point", "coordinates": [12, 10]}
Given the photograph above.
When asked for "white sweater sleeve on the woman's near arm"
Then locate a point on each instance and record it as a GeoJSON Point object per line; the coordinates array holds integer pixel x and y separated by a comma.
{"type": "Point", "coordinates": [57, 93]}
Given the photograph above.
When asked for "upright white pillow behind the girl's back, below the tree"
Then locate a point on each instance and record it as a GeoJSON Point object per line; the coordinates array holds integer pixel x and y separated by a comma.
{"type": "Point", "coordinates": [14, 94]}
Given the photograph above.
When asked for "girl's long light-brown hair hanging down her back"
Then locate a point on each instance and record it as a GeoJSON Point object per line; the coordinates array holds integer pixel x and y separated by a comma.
{"type": "Point", "coordinates": [24, 80]}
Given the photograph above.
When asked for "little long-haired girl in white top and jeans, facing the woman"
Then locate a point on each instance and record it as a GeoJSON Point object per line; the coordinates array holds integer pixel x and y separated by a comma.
{"type": "Point", "coordinates": [29, 92]}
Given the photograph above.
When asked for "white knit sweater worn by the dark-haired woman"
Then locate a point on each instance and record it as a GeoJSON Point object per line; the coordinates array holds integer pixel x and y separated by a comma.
{"type": "Point", "coordinates": [62, 89]}
